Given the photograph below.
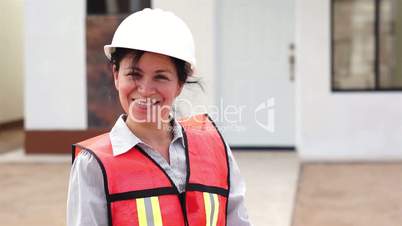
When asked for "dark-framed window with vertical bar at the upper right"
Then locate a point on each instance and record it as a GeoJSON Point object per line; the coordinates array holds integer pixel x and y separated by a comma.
{"type": "Point", "coordinates": [366, 45]}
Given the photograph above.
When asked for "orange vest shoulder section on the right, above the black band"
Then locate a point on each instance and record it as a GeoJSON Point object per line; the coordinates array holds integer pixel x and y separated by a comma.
{"type": "Point", "coordinates": [205, 147]}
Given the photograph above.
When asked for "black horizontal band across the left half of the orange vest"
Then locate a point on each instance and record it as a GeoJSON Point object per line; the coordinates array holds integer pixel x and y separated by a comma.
{"type": "Point", "coordinates": [142, 194]}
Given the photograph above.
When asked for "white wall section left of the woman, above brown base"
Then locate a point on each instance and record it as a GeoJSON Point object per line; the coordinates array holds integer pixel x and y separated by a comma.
{"type": "Point", "coordinates": [55, 76]}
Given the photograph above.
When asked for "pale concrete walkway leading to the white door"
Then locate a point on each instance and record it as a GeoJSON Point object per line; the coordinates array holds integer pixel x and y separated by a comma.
{"type": "Point", "coordinates": [271, 179]}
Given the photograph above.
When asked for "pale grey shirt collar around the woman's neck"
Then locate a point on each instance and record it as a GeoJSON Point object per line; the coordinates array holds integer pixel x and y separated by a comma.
{"type": "Point", "coordinates": [123, 139]}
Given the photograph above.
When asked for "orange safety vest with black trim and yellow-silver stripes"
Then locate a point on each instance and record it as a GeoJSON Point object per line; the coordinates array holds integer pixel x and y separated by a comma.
{"type": "Point", "coordinates": [140, 193]}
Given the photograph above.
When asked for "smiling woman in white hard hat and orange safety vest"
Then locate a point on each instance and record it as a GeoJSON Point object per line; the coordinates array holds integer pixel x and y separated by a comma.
{"type": "Point", "coordinates": [151, 169]}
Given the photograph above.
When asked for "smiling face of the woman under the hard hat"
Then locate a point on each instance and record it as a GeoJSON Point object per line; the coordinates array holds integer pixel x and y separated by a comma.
{"type": "Point", "coordinates": [148, 88]}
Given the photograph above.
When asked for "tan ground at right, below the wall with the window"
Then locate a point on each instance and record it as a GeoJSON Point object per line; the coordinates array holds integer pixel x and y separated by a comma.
{"type": "Point", "coordinates": [355, 194]}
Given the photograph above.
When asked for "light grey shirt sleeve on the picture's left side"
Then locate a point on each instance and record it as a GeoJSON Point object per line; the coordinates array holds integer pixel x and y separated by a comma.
{"type": "Point", "coordinates": [86, 202]}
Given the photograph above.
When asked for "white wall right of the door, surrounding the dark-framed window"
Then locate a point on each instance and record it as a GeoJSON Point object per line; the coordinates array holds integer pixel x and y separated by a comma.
{"type": "Point", "coordinates": [338, 126]}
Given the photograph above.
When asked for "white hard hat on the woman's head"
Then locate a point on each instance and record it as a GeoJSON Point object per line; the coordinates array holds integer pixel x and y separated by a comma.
{"type": "Point", "coordinates": [157, 31]}
